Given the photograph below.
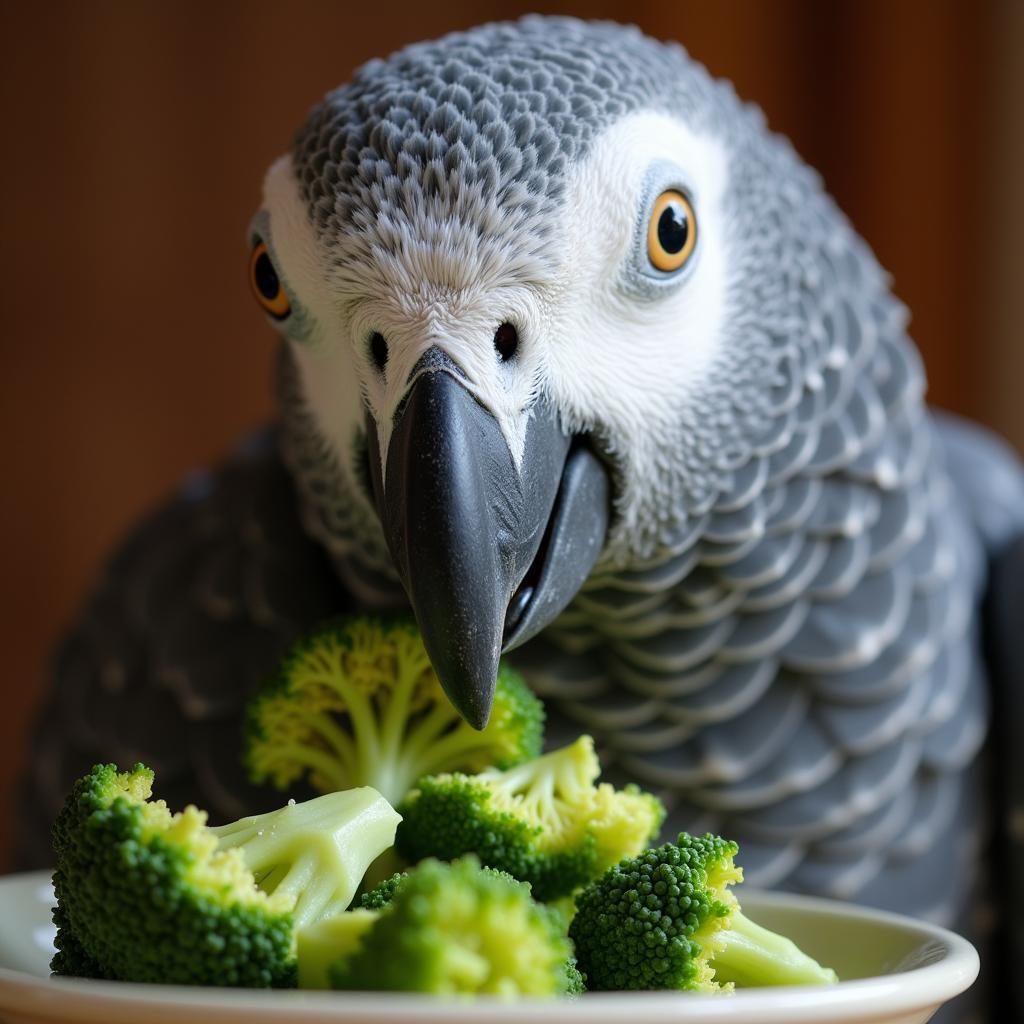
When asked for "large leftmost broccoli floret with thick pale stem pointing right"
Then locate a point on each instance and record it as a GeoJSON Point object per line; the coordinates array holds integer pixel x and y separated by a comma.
{"type": "Point", "coordinates": [147, 895]}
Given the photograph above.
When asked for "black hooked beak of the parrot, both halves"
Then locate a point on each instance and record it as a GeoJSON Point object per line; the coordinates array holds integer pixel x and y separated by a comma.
{"type": "Point", "coordinates": [489, 552]}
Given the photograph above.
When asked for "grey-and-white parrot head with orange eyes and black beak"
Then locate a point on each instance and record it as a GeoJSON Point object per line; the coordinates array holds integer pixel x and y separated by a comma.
{"type": "Point", "coordinates": [543, 288]}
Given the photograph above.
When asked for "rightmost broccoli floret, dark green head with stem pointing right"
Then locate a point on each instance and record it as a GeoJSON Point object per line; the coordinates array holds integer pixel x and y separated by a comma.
{"type": "Point", "coordinates": [668, 920]}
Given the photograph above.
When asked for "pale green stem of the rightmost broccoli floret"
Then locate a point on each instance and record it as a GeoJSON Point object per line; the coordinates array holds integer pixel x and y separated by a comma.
{"type": "Point", "coordinates": [750, 956]}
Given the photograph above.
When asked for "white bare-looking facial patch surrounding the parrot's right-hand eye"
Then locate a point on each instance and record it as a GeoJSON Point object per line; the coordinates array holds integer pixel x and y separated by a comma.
{"type": "Point", "coordinates": [622, 360]}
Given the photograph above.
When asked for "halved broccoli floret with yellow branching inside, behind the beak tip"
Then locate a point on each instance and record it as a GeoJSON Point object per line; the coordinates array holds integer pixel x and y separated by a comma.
{"type": "Point", "coordinates": [357, 703]}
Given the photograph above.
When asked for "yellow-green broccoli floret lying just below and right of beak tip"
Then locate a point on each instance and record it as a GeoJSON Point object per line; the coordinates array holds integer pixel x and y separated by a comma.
{"type": "Point", "coordinates": [545, 822]}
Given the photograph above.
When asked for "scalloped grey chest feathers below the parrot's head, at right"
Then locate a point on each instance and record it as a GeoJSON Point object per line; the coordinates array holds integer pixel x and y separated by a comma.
{"type": "Point", "coordinates": [799, 670]}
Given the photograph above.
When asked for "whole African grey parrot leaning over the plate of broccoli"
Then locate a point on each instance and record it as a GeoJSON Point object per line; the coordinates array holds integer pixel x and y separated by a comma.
{"type": "Point", "coordinates": [581, 362]}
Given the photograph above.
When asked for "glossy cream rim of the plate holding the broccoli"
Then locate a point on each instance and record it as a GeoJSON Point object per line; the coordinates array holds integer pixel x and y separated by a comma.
{"type": "Point", "coordinates": [919, 988]}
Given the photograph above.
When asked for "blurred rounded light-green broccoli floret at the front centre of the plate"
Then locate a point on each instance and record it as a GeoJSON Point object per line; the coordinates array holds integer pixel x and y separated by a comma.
{"type": "Point", "coordinates": [457, 929]}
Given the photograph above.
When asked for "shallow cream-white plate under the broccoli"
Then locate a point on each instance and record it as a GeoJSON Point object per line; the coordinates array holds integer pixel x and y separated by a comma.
{"type": "Point", "coordinates": [895, 971]}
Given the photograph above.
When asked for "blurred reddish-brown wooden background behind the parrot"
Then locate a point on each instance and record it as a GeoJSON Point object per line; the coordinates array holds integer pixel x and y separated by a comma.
{"type": "Point", "coordinates": [137, 137]}
